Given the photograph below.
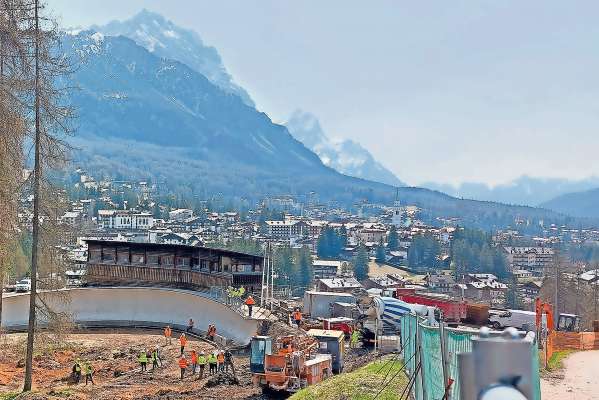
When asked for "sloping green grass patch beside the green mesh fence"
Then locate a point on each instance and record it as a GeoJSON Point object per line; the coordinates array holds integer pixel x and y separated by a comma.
{"type": "Point", "coordinates": [361, 384]}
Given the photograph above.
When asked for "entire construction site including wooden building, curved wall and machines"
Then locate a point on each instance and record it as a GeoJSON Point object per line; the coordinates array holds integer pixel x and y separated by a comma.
{"type": "Point", "coordinates": [160, 332]}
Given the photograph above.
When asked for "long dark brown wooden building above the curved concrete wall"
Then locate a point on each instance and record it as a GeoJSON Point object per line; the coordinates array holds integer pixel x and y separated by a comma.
{"type": "Point", "coordinates": [113, 263]}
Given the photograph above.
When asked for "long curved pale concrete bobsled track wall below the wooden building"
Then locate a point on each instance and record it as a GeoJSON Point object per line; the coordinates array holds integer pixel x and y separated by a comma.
{"type": "Point", "coordinates": [130, 306]}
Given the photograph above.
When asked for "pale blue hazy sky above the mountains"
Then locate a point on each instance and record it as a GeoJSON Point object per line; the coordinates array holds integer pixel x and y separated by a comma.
{"type": "Point", "coordinates": [445, 91]}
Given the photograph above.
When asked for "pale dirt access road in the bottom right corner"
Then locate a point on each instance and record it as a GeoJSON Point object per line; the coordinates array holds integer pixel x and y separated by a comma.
{"type": "Point", "coordinates": [580, 378]}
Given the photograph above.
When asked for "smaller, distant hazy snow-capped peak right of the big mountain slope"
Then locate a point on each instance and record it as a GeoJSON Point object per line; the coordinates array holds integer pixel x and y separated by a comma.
{"type": "Point", "coordinates": [345, 156]}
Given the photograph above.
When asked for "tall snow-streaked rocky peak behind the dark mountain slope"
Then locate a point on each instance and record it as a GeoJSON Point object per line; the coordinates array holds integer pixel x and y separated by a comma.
{"type": "Point", "coordinates": [165, 39]}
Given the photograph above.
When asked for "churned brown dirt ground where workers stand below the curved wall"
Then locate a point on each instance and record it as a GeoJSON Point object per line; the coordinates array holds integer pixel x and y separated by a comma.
{"type": "Point", "coordinates": [113, 355]}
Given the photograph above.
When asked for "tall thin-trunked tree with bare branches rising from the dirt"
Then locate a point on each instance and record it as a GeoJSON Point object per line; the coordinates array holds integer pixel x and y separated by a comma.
{"type": "Point", "coordinates": [31, 46]}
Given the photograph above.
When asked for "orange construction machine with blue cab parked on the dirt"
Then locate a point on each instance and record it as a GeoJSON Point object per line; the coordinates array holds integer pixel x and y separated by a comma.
{"type": "Point", "coordinates": [292, 365]}
